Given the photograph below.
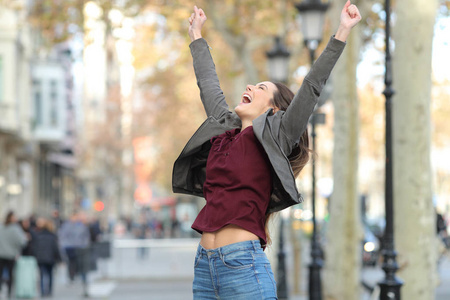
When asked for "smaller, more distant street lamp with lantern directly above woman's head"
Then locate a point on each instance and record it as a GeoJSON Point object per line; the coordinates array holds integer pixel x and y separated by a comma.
{"type": "Point", "coordinates": [278, 69]}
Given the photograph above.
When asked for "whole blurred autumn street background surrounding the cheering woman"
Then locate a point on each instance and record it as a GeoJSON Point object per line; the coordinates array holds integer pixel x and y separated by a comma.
{"type": "Point", "coordinates": [99, 97]}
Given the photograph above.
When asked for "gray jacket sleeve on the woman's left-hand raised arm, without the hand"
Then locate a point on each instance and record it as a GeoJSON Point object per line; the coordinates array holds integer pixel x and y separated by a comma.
{"type": "Point", "coordinates": [210, 92]}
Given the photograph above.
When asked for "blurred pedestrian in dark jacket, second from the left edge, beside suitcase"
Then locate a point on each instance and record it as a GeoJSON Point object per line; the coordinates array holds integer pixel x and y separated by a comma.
{"type": "Point", "coordinates": [47, 252]}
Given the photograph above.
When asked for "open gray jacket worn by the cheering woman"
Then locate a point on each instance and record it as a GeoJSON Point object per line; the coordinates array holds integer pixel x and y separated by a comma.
{"type": "Point", "coordinates": [278, 132]}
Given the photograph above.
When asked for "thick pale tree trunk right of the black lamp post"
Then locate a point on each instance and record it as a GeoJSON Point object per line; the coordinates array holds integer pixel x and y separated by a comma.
{"type": "Point", "coordinates": [415, 234]}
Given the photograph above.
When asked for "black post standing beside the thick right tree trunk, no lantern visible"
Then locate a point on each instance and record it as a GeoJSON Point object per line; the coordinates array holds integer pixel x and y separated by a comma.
{"type": "Point", "coordinates": [390, 285]}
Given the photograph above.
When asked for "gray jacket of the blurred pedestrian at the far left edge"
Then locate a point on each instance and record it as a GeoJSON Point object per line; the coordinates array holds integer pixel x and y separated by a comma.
{"type": "Point", "coordinates": [12, 240]}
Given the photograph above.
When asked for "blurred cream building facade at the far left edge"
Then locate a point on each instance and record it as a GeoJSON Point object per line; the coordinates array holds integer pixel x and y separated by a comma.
{"type": "Point", "coordinates": [16, 151]}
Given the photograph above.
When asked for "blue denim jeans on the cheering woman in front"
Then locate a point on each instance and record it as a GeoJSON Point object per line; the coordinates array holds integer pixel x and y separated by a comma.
{"type": "Point", "coordinates": [239, 271]}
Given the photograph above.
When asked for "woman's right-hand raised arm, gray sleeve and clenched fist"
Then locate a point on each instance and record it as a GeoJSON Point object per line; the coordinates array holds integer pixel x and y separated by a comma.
{"type": "Point", "coordinates": [297, 115]}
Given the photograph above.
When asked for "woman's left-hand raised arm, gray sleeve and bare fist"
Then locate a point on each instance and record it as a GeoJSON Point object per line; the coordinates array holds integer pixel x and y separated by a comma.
{"type": "Point", "coordinates": [210, 92]}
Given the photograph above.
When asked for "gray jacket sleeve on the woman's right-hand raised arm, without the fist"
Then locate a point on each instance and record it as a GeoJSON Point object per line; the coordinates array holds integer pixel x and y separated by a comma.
{"type": "Point", "coordinates": [296, 117]}
